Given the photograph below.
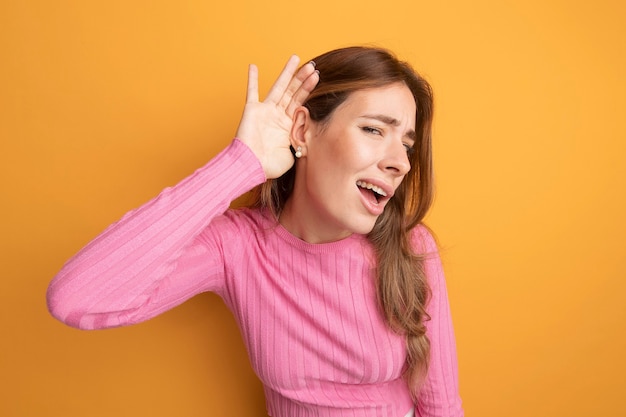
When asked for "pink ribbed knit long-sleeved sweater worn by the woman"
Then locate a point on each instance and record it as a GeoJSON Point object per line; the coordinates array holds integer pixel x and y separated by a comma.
{"type": "Point", "coordinates": [307, 312]}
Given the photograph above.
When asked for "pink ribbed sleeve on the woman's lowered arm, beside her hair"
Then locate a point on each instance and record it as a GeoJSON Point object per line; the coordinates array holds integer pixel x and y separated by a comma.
{"type": "Point", "coordinates": [439, 396]}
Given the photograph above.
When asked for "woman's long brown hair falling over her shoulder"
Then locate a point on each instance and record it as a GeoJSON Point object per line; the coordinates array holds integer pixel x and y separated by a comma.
{"type": "Point", "coordinates": [402, 286]}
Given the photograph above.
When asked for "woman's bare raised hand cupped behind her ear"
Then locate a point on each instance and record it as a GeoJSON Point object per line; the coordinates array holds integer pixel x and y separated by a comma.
{"type": "Point", "coordinates": [265, 126]}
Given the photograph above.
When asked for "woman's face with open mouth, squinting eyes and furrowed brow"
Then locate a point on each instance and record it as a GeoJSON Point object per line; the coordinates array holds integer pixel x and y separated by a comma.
{"type": "Point", "coordinates": [353, 164]}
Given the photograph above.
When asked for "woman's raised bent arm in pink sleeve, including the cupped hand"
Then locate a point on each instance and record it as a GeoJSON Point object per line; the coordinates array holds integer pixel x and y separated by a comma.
{"type": "Point", "coordinates": [153, 259]}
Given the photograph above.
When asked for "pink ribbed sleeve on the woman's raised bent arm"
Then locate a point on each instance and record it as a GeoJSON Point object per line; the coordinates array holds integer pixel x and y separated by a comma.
{"type": "Point", "coordinates": [152, 259]}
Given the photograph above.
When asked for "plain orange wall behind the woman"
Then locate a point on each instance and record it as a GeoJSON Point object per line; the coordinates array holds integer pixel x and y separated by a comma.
{"type": "Point", "coordinates": [103, 104]}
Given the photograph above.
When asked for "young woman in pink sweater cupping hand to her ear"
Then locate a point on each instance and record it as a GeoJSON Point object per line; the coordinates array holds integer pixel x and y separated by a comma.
{"type": "Point", "coordinates": [334, 281]}
